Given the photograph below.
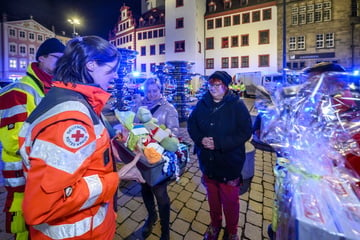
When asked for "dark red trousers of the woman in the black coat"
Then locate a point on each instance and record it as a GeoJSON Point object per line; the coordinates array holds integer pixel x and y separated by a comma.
{"type": "Point", "coordinates": [223, 197]}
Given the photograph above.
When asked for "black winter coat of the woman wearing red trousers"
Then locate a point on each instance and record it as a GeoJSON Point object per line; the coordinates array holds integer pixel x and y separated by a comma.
{"type": "Point", "coordinates": [229, 123]}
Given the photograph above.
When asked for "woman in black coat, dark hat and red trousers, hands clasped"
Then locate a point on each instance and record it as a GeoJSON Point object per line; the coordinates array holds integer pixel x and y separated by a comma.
{"type": "Point", "coordinates": [219, 125]}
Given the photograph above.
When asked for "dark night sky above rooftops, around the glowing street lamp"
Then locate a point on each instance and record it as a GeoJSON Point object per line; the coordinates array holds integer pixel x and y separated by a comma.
{"type": "Point", "coordinates": [97, 17]}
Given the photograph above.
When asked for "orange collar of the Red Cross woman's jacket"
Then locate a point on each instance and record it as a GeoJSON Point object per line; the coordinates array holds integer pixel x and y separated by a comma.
{"type": "Point", "coordinates": [95, 96]}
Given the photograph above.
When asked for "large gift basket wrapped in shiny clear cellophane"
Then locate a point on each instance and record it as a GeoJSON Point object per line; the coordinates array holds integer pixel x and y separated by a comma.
{"type": "Point", "coordinates": [314, 127]}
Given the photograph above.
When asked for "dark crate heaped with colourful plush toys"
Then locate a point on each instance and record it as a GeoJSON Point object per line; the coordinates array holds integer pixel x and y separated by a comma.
{"type": "Point", "coordinates": [151, 153]}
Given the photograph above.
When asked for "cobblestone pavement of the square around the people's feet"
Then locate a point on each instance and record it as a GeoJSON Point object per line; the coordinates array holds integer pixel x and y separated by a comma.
{"type": "Point", "coordinates": [189, 207]}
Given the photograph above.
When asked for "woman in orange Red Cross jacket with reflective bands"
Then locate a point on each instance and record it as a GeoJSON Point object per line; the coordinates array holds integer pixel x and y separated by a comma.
{"type": "Point", "coordinates": [70, 180]}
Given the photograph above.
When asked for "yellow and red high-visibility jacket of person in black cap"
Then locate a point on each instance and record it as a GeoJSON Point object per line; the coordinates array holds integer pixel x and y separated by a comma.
{"type": "Point", "coordinates": [18, 100]}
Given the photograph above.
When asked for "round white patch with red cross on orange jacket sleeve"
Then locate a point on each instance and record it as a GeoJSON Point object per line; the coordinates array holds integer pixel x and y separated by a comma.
{"type": "Point", "coordinates": [75, 136]}
